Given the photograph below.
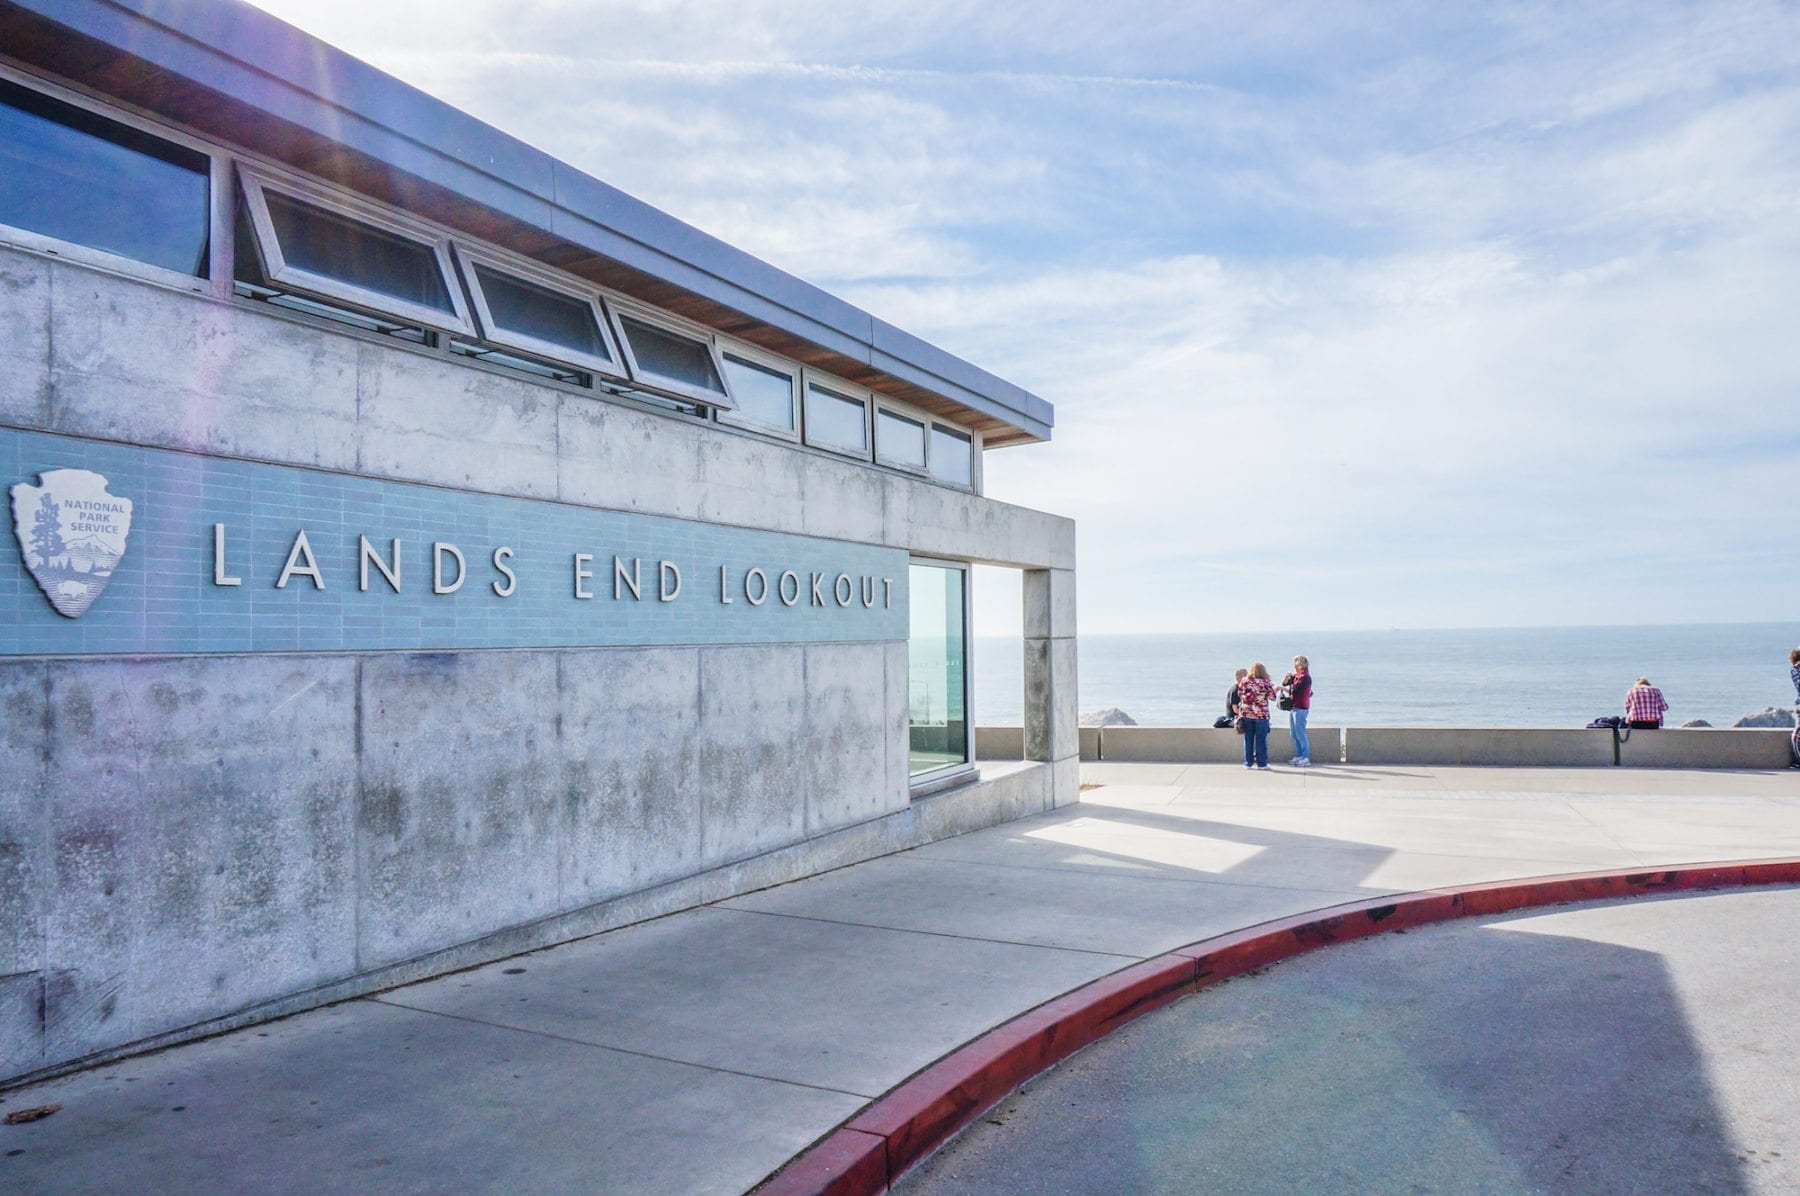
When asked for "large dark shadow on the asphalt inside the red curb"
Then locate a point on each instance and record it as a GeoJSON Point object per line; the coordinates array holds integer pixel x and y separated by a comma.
{"type": "Point", "coordinates": [1453, 1060]}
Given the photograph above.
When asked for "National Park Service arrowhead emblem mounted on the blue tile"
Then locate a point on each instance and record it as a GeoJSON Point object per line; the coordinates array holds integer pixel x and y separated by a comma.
{"type": "Point", "coordinates": [71, 532]}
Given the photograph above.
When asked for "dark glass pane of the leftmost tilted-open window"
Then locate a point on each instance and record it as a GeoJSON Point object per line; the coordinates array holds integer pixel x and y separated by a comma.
{"type": "Point", "coordinates": [337, 248]}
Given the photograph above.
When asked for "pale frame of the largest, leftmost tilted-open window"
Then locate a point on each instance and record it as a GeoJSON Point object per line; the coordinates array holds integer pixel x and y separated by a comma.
{"type": "Point", "coordinates": [256, 179]}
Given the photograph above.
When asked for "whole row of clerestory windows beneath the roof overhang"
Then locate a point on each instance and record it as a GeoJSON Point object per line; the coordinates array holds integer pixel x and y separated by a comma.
{"type": "Point", "coordinates": [121, 192]}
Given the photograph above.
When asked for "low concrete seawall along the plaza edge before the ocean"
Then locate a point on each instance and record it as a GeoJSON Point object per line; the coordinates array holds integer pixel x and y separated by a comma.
{"type": "Point", "coordinates": [1700, 748]}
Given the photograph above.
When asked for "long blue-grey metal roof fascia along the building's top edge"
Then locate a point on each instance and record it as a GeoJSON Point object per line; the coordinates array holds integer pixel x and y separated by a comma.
{"type": "Point", "coordinates": [256, 59]}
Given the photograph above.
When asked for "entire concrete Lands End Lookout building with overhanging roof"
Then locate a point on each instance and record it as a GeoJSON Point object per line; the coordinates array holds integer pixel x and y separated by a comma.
{"type": "Point", "coordinates": [426, 552]}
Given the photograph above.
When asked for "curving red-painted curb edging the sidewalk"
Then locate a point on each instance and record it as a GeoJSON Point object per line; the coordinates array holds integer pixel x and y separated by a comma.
{"type": "Point", "coordinates": [881, 1143]}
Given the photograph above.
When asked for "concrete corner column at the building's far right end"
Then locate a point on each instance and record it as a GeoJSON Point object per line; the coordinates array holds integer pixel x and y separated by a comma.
{"type": "Point", "coordinates": [1052, 714]}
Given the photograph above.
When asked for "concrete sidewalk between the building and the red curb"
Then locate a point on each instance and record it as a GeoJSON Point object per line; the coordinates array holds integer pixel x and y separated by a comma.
{"type": "Point", "coordinates": [701, 1051]}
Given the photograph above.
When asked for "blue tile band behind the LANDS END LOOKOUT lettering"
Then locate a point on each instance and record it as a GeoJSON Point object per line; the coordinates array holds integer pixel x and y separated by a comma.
{"type": "Point", "coordinates": [165, 599]}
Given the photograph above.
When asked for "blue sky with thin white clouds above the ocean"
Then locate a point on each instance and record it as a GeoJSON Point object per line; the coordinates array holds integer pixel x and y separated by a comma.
{"type": "Point", "coordinates": [1353, 314]}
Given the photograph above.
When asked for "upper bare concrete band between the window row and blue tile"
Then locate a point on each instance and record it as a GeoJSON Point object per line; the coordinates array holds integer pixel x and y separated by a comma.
{"type": "Point", "coordinates": [93, 354]}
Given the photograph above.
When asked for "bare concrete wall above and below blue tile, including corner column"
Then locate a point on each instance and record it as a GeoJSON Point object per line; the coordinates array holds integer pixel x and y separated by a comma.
{"type": "Point", "coordinates": [193, 842]}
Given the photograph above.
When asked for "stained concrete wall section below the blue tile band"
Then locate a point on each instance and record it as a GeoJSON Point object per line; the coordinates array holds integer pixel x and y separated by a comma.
{"type": "Point", "coordinates": [192, 837]}
